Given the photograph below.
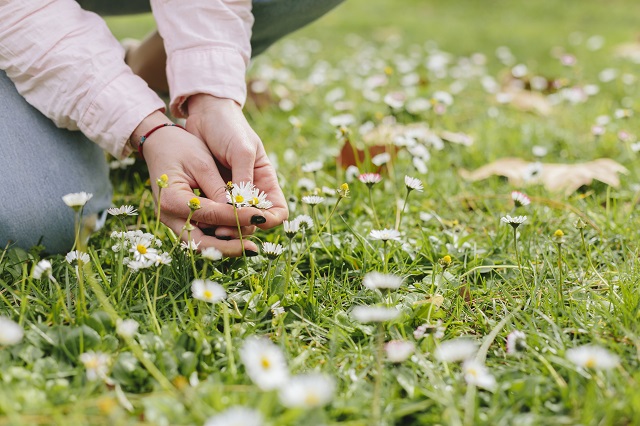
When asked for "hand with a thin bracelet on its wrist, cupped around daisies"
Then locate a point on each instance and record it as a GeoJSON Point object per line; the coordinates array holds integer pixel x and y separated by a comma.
{"type": "Point", "coordinates": [189, 164]}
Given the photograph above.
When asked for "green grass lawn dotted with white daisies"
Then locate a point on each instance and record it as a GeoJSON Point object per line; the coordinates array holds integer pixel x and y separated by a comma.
{"type": "Point", "coordinates": [478, 319]}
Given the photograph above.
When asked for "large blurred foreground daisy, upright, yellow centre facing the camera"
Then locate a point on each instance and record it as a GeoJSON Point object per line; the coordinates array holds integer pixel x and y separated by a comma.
{"type": "Point", "coordinates": [264, 362]}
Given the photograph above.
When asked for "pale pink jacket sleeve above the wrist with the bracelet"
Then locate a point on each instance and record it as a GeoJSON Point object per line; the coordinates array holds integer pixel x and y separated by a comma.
{"type": "Point", "coordinates": [67, 64]}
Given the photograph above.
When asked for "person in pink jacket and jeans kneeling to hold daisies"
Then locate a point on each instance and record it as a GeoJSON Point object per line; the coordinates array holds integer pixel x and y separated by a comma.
{"type": "Point", "coordinates": [62, 71]}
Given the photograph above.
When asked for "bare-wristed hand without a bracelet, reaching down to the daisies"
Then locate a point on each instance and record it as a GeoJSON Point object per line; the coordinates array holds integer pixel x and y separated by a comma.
{"type": "Point", "coordinates": [221, 124]}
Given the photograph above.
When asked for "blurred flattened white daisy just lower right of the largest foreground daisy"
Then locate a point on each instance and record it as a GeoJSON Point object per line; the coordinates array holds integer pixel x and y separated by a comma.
{"type": "Point", "coordinates": [307, 391]}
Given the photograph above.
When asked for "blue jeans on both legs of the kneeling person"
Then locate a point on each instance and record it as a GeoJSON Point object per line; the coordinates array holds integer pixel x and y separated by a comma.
{"type": "Point", "coordinates": [39, 163]}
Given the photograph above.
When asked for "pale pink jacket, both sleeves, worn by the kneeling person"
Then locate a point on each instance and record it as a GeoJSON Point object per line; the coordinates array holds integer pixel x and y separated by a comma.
{"type": "Point", "coordinates": [67, 64]}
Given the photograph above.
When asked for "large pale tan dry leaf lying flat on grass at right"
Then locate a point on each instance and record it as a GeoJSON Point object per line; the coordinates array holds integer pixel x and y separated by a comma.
{"type": "Point", "coordinates": [556, 177]}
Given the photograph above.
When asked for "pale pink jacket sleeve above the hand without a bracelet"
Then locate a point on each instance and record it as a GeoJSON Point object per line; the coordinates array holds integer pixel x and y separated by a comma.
{"type": "Point", "coordinates": [208, 44]}
